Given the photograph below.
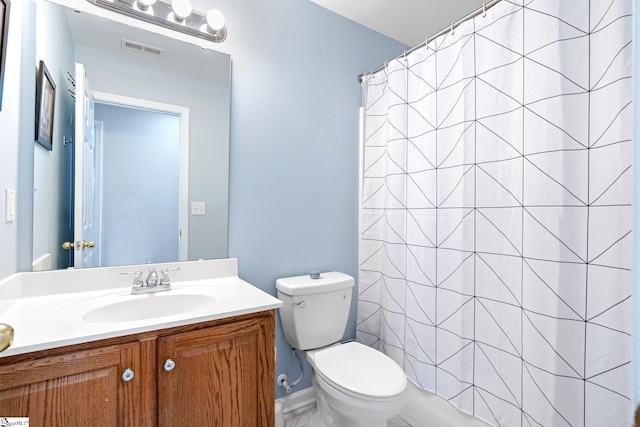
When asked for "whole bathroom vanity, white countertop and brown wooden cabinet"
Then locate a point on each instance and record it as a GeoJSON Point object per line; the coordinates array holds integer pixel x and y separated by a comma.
{"type": "Point", "coordinates": [213, 365]}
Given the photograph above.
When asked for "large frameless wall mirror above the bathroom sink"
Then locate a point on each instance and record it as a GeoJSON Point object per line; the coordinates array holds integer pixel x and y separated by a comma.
{"type": "Point", "coordinates": [134, 75]}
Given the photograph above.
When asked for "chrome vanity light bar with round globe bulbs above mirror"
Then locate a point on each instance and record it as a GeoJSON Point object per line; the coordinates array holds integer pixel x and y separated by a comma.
{"type": "Point", "coordinates": [174, 14]}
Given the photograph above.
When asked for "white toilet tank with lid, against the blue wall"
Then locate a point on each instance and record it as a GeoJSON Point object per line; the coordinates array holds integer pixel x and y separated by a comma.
{"type": "Point", "coordinates": [315, 311]}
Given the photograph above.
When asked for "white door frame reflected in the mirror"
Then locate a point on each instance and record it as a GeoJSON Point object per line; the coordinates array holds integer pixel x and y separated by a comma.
{"type": "Point", "coordinates": [183, 114]}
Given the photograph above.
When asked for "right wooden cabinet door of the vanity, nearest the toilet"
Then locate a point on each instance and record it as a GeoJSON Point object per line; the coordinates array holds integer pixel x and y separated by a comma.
{"type": "Point", "coordinates": [223, 376]}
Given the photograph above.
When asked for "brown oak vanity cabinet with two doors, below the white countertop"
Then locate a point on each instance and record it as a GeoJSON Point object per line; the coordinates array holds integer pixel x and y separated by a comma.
{"type": "Point", "coordinates": [217, 373]}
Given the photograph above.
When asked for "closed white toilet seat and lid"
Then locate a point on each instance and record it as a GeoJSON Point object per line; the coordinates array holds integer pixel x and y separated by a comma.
{"type": "Point", "coordinates": [360, 371]}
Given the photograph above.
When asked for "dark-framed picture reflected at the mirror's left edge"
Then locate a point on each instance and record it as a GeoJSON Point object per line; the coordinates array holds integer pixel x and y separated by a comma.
{"type": "Point", "coordinates": [45, 103]}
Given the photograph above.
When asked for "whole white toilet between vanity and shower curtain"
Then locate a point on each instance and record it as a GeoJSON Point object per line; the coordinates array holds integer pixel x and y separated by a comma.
{"type": "Point", "coordinates": [355, 385]}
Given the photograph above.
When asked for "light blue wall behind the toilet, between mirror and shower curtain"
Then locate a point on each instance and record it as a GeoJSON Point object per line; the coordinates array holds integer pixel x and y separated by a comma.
{"type": "Point", "coordinates": [293, 204]}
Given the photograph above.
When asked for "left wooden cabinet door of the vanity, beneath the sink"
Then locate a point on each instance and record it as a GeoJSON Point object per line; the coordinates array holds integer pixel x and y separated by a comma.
{"type": "Point", "coordinates": [82, 388]}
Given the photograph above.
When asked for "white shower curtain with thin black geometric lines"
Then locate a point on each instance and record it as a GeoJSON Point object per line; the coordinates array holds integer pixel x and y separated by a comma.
{"type": "Point", "coordinates": [495, 246]}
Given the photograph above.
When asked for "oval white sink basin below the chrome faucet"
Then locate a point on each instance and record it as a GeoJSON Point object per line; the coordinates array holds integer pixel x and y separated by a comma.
{"type": "Point", "coordinates": [148, 306]}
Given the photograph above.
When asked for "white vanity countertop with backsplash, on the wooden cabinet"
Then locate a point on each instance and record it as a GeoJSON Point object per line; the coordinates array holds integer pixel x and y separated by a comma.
{"type": "Point", "coordinates": [43, 320]}
